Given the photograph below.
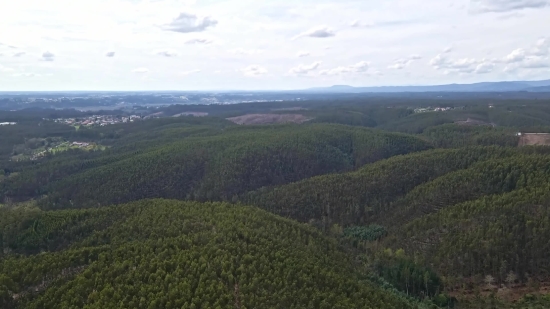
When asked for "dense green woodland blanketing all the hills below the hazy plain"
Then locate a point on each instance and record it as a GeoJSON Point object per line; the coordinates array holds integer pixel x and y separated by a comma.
{"type": "Point", "coordinates": [370, 204]}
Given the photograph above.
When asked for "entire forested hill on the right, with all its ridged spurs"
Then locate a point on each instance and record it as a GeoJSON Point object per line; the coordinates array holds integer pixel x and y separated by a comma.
{"type": "Point", "coordinates": [471, 213]}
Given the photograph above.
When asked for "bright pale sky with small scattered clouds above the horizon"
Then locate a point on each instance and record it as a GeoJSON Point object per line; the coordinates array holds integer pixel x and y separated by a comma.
{"type": "Point", "coordinates": [49, 45]}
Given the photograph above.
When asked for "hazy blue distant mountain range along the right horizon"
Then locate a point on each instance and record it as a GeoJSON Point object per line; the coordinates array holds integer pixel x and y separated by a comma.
{"type": "Point", "coordinates": [529, 86]}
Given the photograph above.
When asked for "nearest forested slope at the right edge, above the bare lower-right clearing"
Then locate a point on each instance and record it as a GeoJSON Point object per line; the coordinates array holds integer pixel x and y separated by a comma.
{"type": "Point", "coordinates": [501, 236]}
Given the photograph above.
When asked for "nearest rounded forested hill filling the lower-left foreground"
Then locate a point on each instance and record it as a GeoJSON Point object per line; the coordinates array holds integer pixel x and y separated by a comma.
{"type": "Point", "coordinates": [172, 254]}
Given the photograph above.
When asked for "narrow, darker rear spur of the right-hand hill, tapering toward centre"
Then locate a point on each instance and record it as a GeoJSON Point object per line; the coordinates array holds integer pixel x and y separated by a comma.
{"type": "Point", "coordinates": [364, 195]}
